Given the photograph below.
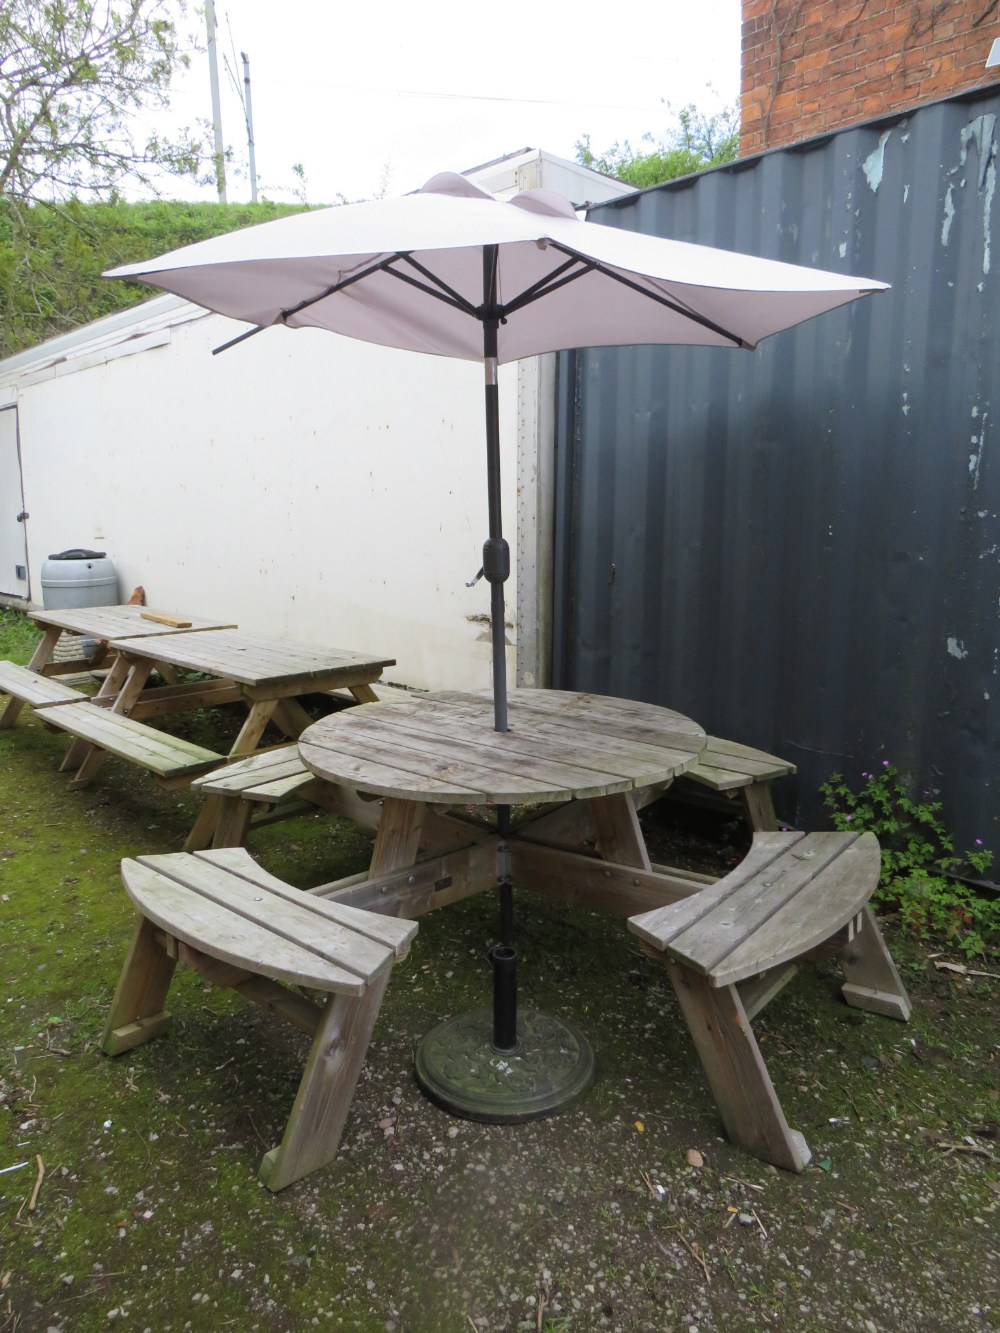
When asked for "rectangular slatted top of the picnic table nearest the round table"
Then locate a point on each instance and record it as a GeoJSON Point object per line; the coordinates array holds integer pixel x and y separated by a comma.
{"type": "Point", "coordinates": [253, 659]}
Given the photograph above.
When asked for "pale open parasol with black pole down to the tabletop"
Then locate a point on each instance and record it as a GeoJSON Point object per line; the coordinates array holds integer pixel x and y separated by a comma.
{"type": "Point", "coordinates": [454, 271]}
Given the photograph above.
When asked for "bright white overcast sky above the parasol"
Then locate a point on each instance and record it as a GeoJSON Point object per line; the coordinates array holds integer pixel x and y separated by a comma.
{"type": "Point", "coordinates": [395, 90]}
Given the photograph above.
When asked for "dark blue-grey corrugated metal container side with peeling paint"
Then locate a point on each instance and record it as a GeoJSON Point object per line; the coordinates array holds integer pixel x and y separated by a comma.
{"type": "Point", "coordinates": [801, 546]}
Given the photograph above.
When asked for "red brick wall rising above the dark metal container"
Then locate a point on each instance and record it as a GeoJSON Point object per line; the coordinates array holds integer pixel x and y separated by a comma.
{"type": "Point", "coordinates": [813, 66]}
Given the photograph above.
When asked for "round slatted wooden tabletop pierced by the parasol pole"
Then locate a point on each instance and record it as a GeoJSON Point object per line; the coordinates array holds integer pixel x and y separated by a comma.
{"type": "Point", "coordinates": [561, 746]}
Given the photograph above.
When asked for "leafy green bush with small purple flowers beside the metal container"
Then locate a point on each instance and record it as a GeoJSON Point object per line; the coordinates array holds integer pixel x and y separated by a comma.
{"type": "Point", "coordinates": [919, 864]}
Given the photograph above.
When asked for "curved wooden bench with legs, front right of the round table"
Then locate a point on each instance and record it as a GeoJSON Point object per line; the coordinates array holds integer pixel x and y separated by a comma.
{"type": "Point", "coordinates": [733, 947]}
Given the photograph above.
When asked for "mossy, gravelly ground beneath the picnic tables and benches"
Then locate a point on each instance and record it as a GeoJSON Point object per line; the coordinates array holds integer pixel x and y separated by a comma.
{"type": "Point", "coordinates": [150, 1212]}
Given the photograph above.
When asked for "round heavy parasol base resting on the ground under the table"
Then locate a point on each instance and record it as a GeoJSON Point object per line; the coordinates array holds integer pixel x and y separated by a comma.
{"type": "Point", "coordinates": [459, 1068]}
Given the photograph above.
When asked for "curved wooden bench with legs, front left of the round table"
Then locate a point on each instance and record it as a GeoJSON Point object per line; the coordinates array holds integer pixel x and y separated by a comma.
{"type": "Point", "coordinates": [237, 926]}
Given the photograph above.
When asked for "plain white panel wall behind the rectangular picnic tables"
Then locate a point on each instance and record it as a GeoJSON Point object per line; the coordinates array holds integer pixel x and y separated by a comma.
{"type": "Point", "coordinates": [302, 485]}
